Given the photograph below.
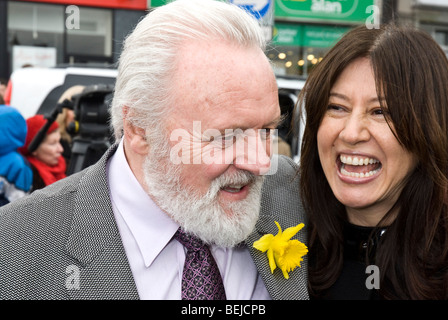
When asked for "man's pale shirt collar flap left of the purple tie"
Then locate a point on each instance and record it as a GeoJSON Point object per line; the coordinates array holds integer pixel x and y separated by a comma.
{"type": "Point", "coordinates": [151, 227]}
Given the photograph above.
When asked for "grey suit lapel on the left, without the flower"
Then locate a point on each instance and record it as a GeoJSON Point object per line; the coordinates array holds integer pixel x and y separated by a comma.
{"type": "Point", "coordinates": [94, 241]}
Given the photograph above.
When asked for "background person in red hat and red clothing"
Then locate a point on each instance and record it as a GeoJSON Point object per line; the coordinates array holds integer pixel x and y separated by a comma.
{"type": "Point", "coordinates": [46, 161]}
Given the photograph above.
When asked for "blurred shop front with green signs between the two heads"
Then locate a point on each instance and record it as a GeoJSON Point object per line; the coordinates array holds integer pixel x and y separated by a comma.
{"type": "Point", "coordinates": [305, 30]}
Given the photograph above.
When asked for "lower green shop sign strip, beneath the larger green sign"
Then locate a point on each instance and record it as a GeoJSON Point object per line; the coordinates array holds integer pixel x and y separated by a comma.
{"type": "Point", "coordinates": [307, 35]}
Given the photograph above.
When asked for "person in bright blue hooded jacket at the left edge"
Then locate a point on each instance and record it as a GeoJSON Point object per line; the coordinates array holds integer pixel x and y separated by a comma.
{"type": "Point", "coordinates": [16, 176]}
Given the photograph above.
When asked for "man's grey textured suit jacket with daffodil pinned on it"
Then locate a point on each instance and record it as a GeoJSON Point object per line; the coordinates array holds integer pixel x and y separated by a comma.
{"type": "Point", "coordinates": [62, 242]}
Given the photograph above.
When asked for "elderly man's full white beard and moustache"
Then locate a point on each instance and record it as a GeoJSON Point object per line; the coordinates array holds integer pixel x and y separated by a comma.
{"type": "Point", "coordinates": [224, 224]}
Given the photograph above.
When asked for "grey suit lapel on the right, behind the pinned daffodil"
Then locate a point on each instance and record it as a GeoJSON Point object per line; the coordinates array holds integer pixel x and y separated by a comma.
{"type": "Point", "coordinates": [281, 202]}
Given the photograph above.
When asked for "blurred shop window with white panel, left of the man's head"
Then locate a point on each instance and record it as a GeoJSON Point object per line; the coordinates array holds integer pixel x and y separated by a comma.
{"type": "Point", "coordinates": [38, 35]}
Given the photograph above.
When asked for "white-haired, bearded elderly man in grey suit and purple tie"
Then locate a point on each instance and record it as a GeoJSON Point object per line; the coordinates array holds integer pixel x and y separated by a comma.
{"type": "Point", "coordinates": [194, 106]}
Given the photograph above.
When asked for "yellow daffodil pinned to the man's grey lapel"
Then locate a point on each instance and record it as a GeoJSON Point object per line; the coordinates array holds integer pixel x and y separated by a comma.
{"type": "Point", "coordinates": [281, 250]}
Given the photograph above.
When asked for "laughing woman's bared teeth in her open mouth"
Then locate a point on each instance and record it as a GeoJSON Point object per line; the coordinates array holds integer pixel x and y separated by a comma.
{"type": "Point", "coordinates": [372, 166]}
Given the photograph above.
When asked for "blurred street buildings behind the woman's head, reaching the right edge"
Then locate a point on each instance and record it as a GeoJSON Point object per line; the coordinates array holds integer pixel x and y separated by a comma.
{"type": "Point", "coordinates": [305, 30]}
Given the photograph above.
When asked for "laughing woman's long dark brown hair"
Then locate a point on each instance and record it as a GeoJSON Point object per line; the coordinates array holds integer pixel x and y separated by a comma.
{"type": "Point", "coordinates": [411, 73]}
